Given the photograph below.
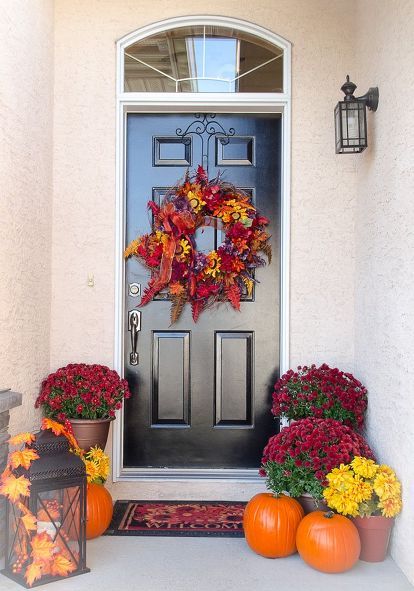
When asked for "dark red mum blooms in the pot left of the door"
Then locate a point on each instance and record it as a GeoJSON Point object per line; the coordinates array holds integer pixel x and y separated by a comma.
{"type": "Point", "coordinates": [81, 391]}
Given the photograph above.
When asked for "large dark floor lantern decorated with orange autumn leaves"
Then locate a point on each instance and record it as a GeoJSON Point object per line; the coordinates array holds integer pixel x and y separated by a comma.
{"type": "Point", "coordinates": [57, 502]}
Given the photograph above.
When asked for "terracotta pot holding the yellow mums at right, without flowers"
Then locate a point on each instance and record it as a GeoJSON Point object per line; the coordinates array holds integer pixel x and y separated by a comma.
{"type": "Point", "coordinates": [374, 533]}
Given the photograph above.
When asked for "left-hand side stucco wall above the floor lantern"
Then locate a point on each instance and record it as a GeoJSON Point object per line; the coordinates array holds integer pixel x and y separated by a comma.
{"type": "Point", "coordinates": [26, 74]}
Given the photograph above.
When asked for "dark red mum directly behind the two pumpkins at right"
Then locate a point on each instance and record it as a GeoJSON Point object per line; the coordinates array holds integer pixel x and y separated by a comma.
{"type": "Point", "coordinates": [297, 459]}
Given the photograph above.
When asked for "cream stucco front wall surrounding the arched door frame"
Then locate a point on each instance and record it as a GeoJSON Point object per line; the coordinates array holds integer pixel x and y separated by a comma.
{"type": "Point", "coordinates": [322, 265]}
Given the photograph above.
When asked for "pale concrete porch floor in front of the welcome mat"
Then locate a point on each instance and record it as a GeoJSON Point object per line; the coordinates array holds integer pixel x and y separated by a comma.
{"type": "Point", "coordinates": [213, 564]}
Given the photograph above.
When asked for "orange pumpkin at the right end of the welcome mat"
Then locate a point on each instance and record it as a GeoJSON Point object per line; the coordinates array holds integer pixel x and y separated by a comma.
{"type": "Point", "coordinates": [270, 524]}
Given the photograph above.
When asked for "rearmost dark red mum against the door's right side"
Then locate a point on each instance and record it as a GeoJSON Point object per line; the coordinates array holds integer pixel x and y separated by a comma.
{"type": "Point", "coordinates": [321, 392]}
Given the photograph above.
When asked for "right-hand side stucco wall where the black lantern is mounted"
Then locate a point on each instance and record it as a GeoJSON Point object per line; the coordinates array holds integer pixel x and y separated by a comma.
{"type": "Point", "coordinates": [384, 279]}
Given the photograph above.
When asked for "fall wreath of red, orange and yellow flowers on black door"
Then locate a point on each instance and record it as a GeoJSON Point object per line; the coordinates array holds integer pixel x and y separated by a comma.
{"type": "Point", "coordinates": [170, 251]}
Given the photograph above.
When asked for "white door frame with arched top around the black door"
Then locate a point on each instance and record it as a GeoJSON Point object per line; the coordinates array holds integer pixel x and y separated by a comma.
{"type": "Point", "coordinates": [145, 102]}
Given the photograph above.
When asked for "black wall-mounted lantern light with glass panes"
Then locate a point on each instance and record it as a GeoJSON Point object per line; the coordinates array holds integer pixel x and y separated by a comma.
{"type": "Point", "coordinates": [351, 119]}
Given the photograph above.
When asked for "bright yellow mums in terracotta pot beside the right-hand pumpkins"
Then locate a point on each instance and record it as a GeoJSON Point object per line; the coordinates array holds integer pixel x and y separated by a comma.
{"type": "Point", "coordinates": [363, 488]}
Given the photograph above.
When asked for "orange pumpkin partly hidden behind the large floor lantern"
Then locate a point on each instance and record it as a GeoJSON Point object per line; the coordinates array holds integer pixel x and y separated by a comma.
{"type": "Point", "coordinates": [99, 510]}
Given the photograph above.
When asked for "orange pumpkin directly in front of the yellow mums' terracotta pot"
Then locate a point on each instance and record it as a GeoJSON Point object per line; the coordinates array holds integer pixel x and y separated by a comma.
{"type": "Point", "coordinates": [328, 542]}
